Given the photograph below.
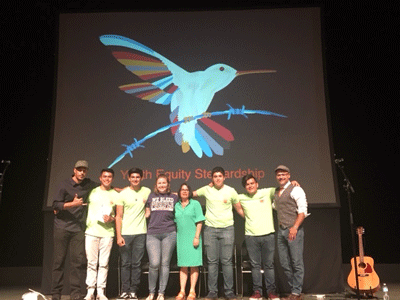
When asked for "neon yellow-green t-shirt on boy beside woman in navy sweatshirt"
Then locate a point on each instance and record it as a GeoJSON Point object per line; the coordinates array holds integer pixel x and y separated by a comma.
{"type": "Point", "coordinates": [133, 220]}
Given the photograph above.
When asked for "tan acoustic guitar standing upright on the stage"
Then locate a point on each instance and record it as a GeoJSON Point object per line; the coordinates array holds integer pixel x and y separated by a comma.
{"type": "Point", "coordinates": [368, 280]}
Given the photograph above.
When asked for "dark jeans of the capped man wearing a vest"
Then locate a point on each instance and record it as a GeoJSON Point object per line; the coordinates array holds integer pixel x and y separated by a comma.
{"type": "Point", "coordinates": [291, 258]}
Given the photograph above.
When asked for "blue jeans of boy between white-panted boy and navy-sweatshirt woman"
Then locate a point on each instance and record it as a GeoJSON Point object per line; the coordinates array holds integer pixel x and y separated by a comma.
{"type": "Point", "coordinates": [131, 256]}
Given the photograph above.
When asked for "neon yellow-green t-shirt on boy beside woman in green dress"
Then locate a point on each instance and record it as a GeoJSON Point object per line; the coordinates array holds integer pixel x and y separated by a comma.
{"type": "Point", "coordinates": [219, 205]}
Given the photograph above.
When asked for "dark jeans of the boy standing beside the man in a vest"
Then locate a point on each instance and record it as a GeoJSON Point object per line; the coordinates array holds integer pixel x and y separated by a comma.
{"type": "Point", "coordinates": [261, 251]}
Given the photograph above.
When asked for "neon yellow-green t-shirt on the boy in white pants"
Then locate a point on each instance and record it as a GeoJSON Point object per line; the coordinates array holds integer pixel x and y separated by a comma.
{"type": "Point", "coordinates": [100, 202]}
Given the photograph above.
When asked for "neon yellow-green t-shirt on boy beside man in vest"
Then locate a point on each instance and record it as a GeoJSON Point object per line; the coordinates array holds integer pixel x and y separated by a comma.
{"type": "Point", "coordinates": [258, 212]}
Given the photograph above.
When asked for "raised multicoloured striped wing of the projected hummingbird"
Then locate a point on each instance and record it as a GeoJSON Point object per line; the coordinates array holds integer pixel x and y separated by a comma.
{"type": "Point", "coordinates": [156, 71]}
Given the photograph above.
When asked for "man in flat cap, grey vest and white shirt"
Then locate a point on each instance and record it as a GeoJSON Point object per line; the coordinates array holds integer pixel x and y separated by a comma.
{"type": "Point", "coordinates": [291, 204]}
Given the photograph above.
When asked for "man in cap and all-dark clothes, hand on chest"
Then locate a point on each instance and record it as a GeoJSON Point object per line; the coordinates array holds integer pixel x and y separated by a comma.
{"type": "Point", "coordinates": [69, 207]}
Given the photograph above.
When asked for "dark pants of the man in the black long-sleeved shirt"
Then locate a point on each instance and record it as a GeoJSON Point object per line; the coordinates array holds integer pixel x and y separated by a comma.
{"type": "Point", "coordinates": [75, 241]}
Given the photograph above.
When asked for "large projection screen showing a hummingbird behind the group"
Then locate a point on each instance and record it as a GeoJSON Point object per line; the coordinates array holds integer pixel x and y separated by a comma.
{"type": "Point", "coordinates": [168, 92]}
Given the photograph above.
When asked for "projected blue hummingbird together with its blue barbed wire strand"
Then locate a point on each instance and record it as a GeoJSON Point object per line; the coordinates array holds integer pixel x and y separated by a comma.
{"type": "Point", "coordinates": [189, 95]}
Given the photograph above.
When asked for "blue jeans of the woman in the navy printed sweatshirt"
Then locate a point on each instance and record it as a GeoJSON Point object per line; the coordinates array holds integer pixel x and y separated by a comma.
{"type": "Point", "coordinates": [160, 248]}
